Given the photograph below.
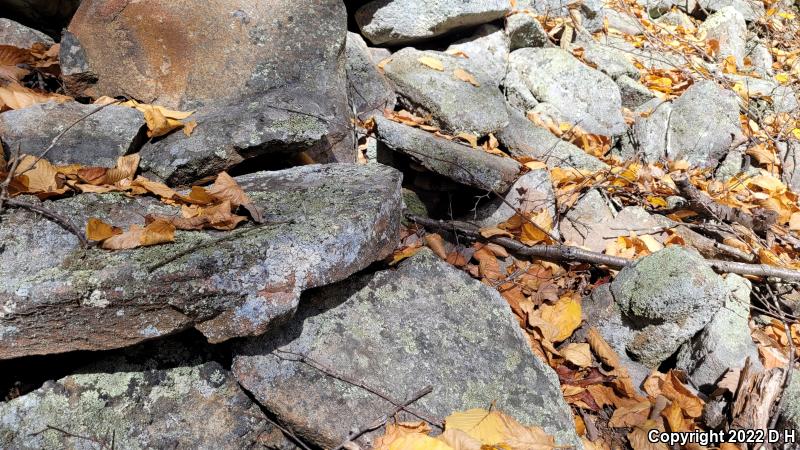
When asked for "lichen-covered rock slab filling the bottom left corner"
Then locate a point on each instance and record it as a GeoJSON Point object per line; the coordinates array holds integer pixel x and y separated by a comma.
{"type": "Point", "coordinates": [195, 406]}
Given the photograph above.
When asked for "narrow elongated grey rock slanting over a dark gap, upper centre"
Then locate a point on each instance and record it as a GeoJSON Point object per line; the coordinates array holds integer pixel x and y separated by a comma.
{"type": "Point", "coordinates": [460, 163]}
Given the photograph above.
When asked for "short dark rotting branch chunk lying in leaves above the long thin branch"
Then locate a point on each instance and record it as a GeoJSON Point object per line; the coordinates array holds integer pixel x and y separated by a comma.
{"type": "Point", "coordinates": [760, 221]}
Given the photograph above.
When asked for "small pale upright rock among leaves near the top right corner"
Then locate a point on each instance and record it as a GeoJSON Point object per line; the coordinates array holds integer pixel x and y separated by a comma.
{"type": "Point", "coordinates": [728, 28]}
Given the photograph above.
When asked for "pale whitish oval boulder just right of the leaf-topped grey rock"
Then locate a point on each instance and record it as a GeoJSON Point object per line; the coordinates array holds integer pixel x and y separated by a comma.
{"type": "Point", "coordinates": [584, 96]}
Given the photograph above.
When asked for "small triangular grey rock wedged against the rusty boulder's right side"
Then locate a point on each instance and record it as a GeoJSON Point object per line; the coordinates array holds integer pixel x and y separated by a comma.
{"type": "Point", "coordinates": [369, 91]}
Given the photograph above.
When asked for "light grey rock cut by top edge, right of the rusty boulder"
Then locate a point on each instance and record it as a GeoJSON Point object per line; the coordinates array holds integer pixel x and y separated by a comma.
{"type": "Point", "coordinates": [394, 22]}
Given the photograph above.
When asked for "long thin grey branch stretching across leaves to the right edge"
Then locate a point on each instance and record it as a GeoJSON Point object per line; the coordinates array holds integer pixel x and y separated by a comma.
{"type": "Point", "coordinates": [567, 253]}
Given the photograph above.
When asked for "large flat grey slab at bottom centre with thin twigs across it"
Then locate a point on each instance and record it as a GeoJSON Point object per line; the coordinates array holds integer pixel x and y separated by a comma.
{"type": "Point", "coordinates": [425, 323]}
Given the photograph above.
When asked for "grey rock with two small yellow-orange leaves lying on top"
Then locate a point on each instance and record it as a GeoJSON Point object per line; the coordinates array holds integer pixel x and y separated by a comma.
{"type": "Point", "coordinates": [456, 105]}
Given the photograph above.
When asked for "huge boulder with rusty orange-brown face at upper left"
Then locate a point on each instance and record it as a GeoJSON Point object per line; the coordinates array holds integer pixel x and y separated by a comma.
{"type": "Point", "coordinates": [189, 55]}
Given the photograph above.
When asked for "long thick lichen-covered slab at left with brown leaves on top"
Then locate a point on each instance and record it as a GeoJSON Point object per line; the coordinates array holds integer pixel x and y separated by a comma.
{"type": "Point", "coordinates": [57, 297]}
